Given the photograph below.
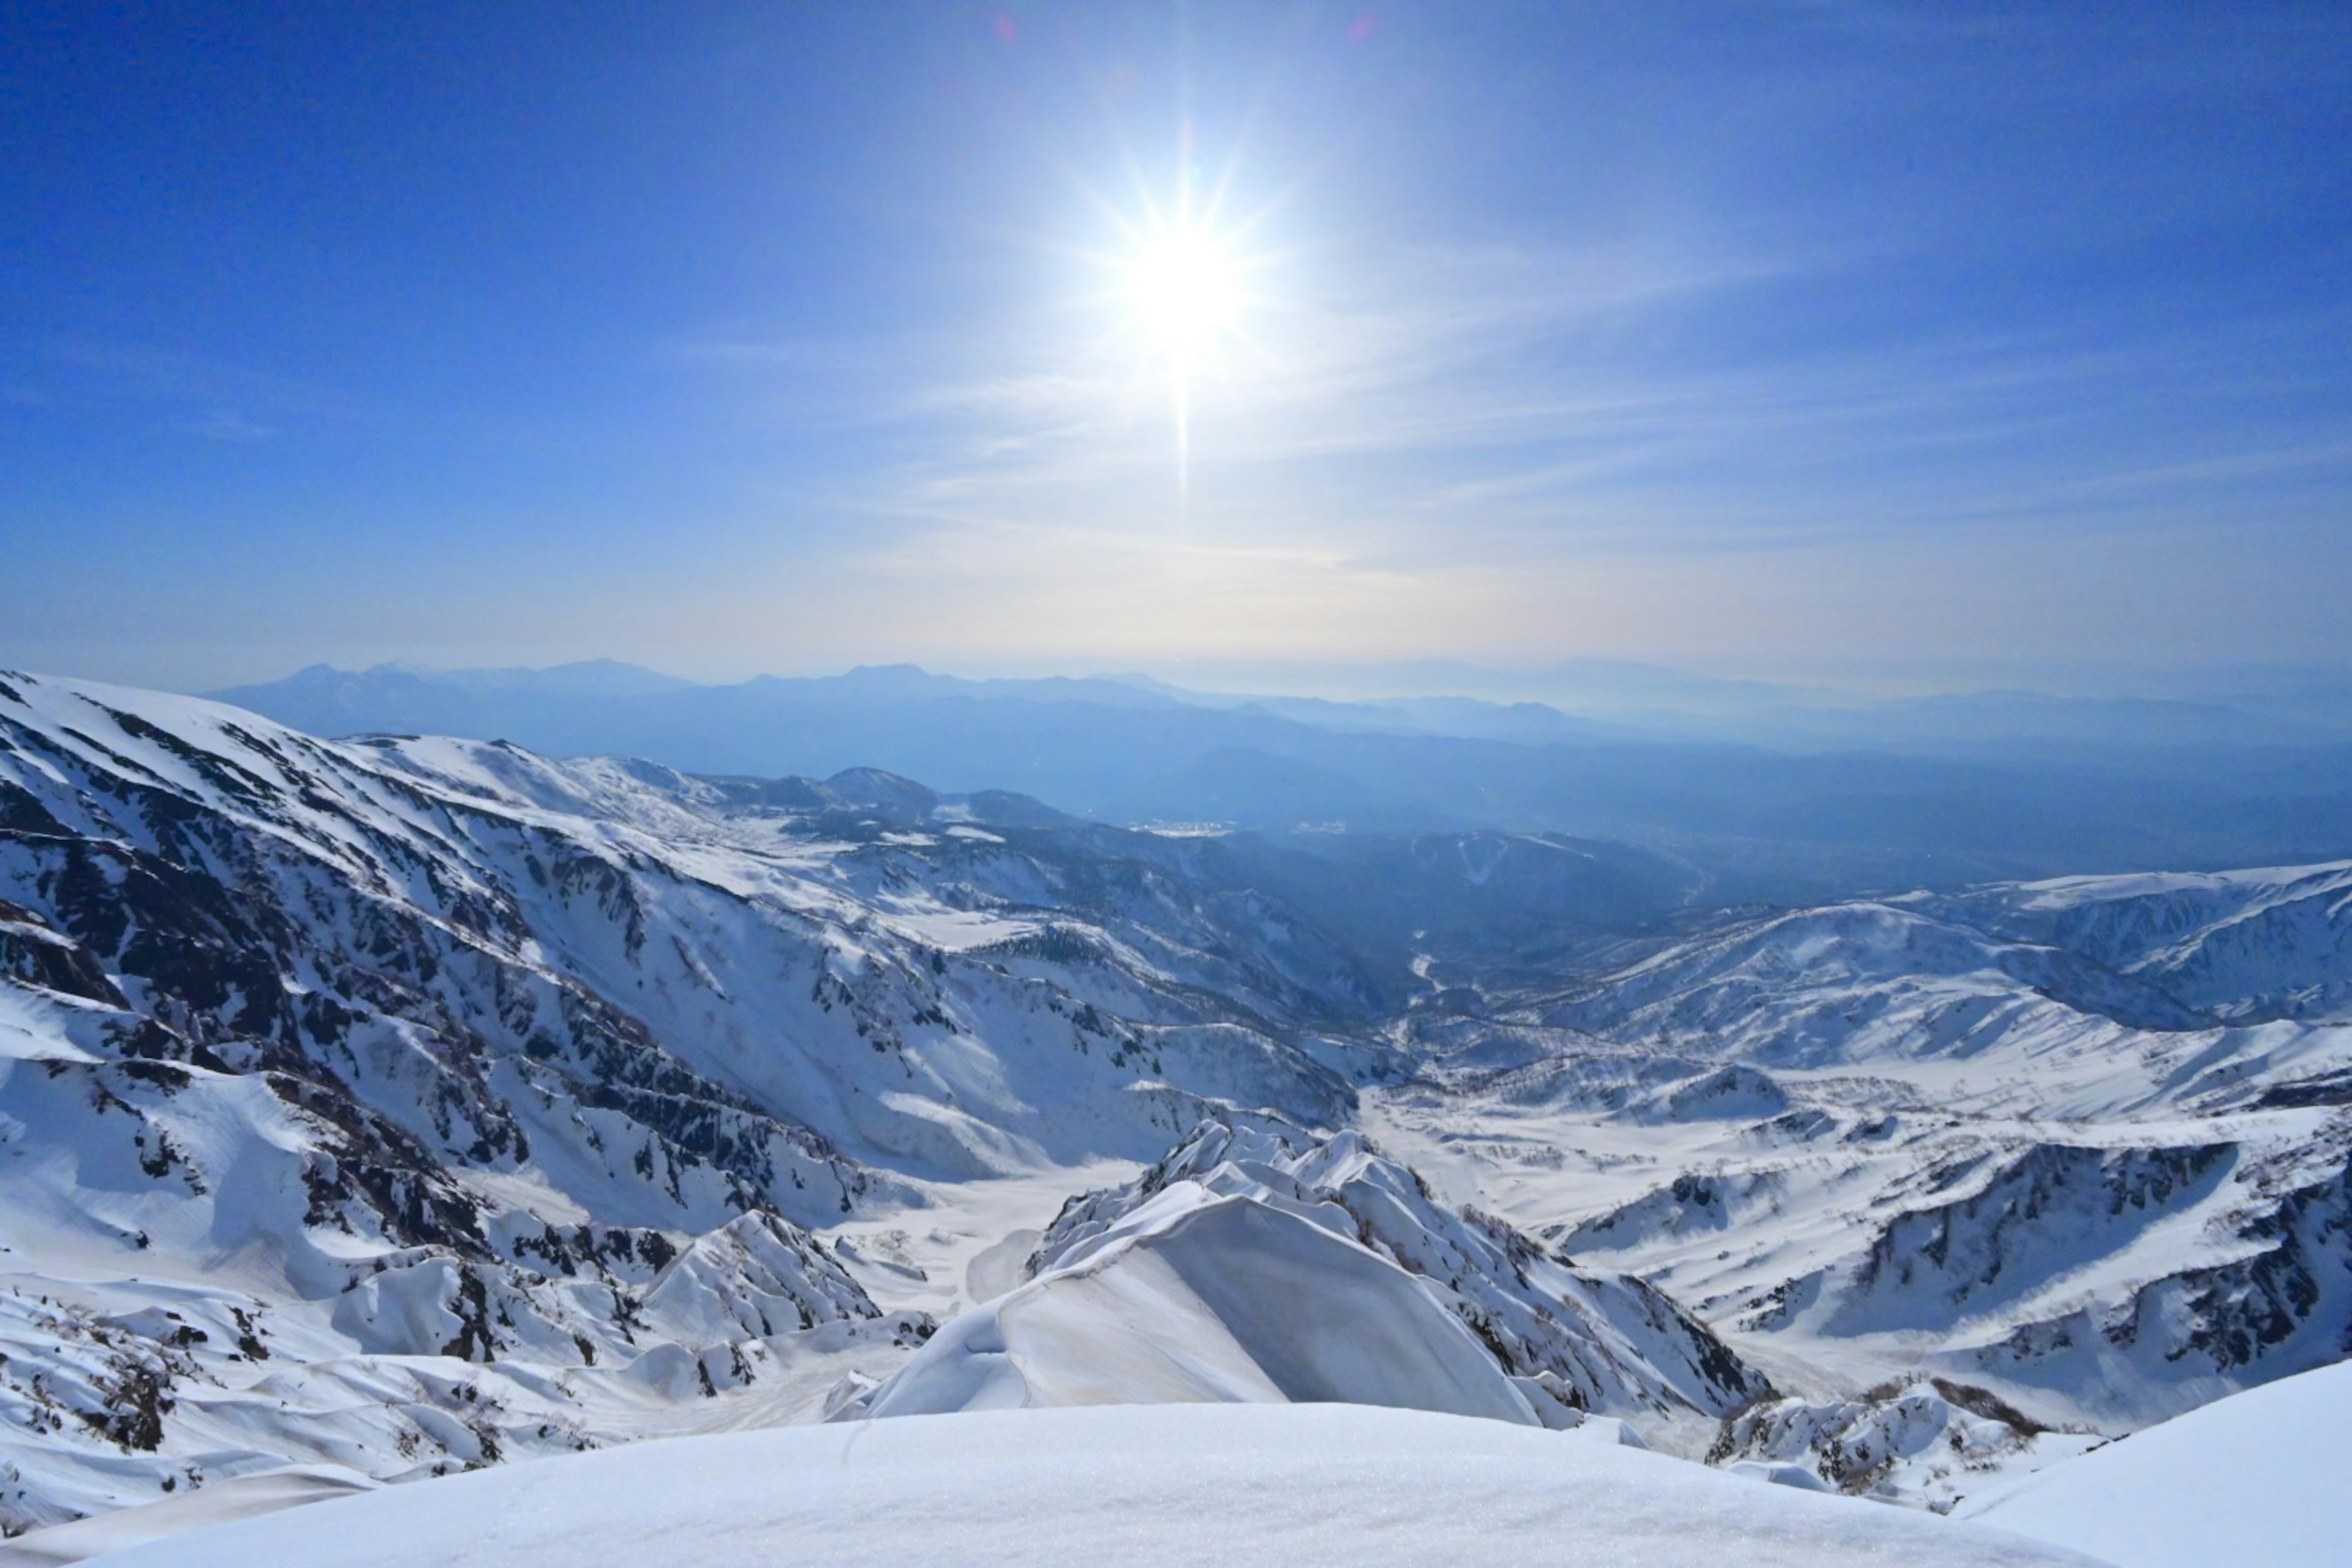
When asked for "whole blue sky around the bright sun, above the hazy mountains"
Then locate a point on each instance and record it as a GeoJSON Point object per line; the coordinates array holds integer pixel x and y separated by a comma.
{"type": "Point", "coordinates": [1972, 340]}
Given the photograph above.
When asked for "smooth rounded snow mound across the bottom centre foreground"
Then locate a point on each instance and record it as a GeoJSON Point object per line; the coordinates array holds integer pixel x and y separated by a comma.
{"type": "Point", "coordinates": [1118, 1485]}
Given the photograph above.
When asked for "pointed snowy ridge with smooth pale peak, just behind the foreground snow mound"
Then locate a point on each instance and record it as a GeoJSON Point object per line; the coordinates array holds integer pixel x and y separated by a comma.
{"type": "Point", "coordinates": [1189, 1282]}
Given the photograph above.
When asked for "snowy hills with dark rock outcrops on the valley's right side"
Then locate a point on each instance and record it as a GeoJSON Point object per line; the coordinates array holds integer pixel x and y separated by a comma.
{"type": "Point", "coordinates": [1965, 1191]}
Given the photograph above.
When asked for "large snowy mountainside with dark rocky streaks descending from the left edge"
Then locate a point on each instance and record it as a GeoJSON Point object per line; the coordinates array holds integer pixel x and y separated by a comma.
{"type": "Point", "coordinates": [413, 1106]}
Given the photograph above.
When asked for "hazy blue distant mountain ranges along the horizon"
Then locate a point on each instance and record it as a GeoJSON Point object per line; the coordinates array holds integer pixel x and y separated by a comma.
{"type": "Point", "coordinates": [1768, 796]}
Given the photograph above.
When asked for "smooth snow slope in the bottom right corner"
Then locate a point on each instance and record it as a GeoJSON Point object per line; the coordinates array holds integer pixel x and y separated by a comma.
{"type": "Point", "coordinates": [2247, 1480]}
